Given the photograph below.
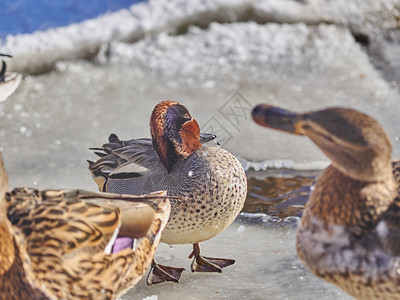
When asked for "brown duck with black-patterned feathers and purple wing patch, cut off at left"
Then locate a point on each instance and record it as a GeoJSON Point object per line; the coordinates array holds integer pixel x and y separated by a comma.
{"type": "Point", "coordinates": [56, 244]}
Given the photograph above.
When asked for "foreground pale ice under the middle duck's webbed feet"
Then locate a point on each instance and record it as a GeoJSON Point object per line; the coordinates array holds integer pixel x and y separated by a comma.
{"type": "Point", "coordinates": [266, 268]}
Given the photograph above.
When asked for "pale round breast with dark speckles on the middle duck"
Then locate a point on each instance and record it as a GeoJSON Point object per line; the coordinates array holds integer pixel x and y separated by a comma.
{"type": "Point", "coordinates": [213, 185]}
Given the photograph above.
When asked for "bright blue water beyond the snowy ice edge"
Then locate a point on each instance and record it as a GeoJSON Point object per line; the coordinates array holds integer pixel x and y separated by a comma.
{"type": "Point", "coordinates": [26, 16]}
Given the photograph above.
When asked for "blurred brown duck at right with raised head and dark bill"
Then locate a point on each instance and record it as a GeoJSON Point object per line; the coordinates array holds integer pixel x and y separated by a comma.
{"type": "Point", "coordinates": [350, 229]}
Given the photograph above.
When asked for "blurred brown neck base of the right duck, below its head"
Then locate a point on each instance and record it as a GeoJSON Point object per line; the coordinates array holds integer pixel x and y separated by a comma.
{"type": "Point", "coordinates": [340, 200]}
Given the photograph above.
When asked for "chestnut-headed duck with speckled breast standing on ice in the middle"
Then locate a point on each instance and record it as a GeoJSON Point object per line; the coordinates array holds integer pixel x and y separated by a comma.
{"type": "Point", "coordinates": [210, 180]}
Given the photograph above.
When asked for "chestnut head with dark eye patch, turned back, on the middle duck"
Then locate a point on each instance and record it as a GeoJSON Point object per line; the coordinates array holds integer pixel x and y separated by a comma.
{"type": "Point", "coordinates": [175, 134]}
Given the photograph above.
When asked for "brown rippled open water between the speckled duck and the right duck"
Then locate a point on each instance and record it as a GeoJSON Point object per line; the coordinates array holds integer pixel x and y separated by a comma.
{"type": "Point", "coordinates": [280, 193]}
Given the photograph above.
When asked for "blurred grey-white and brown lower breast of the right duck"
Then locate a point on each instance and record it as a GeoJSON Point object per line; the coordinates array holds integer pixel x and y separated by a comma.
{"type": "Point", "coordinates": [359, 264]}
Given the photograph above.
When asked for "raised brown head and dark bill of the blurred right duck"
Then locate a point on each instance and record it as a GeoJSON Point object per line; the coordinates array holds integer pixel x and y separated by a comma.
{"type": "Point", "coordinates": [355, 142]}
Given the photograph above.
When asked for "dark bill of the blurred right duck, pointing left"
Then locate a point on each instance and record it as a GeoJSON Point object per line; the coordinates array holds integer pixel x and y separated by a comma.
{"type": "Point", "coordinates": [278, 118]}
